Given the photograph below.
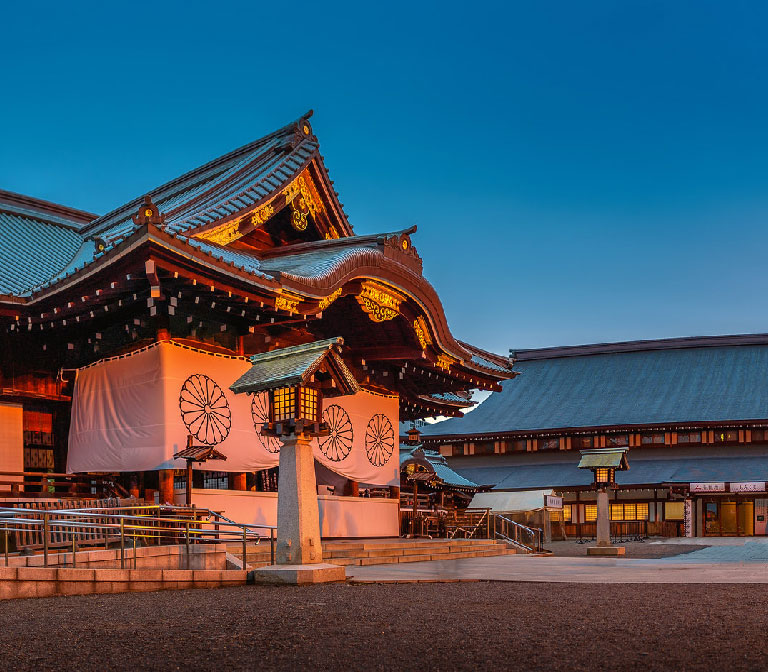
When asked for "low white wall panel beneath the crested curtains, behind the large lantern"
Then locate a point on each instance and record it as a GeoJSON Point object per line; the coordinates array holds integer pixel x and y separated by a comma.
{"type": "Point", "coordinates": [339, 516]}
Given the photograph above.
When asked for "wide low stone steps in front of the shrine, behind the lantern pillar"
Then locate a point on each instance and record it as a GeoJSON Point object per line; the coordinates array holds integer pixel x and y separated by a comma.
{"type": "Point", "coordinates": [386, 551]}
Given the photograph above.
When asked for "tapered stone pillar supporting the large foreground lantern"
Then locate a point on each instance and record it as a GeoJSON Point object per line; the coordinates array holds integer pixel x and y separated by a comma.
{"type": "Point", "coordinates": [298, 516]}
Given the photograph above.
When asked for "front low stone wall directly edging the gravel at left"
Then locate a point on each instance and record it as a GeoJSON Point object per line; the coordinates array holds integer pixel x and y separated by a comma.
{"type": "Point", "coordinates": [21, 582]}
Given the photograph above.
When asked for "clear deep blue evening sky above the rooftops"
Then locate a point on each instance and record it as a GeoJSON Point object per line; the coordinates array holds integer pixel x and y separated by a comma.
{"type": "Point", "coordinates": [579, 172]}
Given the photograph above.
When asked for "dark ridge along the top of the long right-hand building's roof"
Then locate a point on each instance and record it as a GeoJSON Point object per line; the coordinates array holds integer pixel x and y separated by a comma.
{"type": "Point", "coordinates": [675, 343]}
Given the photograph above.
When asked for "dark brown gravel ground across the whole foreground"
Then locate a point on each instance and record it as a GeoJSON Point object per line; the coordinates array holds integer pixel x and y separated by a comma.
{"type": "Point", "coordinates": [452, 626]}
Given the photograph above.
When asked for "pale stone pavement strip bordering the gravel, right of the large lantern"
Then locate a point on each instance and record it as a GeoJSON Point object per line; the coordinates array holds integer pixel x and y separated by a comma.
{"type": "Point", "coordinates": [734, 564]}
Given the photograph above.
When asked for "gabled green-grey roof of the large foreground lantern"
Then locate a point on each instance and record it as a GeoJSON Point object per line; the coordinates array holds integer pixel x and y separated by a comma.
{"type": "Point", "coordinates": [299, 365]}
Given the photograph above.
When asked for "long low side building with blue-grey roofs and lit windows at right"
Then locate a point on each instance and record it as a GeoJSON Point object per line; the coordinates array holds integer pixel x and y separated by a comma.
{"type": "Point", "coordinates": [693, 413]}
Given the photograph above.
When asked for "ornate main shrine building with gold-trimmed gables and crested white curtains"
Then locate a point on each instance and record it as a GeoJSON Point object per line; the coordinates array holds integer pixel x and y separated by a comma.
{"type": "Point", "coordinates": [122, 334]}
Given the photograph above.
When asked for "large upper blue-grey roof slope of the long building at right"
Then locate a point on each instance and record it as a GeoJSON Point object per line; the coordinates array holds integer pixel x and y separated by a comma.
{"type": "Point", "coordinates": [714, 380]}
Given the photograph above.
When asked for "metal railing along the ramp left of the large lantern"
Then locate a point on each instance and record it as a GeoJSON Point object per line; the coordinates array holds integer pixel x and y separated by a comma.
{"type": "Point", "coordinates": [150, 524]}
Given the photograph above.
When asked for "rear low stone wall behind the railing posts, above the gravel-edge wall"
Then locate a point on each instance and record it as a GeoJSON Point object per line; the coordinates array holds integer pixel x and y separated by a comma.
{"type": "Point", "coordinates": [200, 556]}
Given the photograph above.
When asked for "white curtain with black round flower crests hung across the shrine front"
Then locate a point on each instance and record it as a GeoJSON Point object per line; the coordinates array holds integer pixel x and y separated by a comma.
{"type": "Point", "coordinates": [133, 413]}
